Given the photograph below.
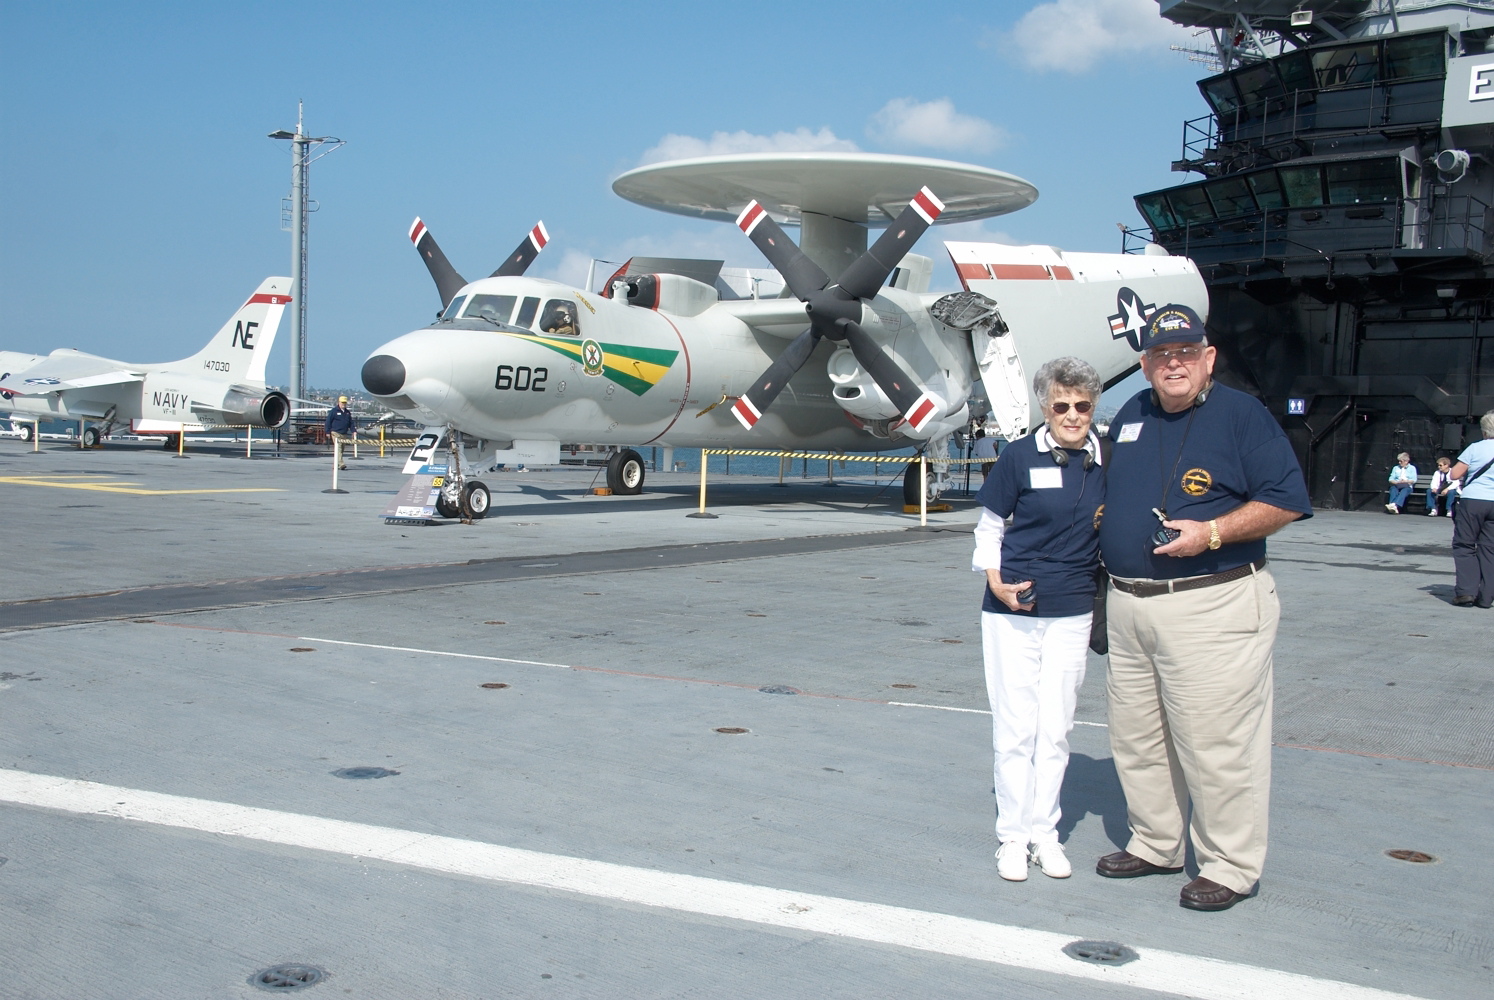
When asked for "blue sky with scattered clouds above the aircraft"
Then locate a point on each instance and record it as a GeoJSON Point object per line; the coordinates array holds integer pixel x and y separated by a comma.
{"type": "Point", "coordinates": [140, 195]}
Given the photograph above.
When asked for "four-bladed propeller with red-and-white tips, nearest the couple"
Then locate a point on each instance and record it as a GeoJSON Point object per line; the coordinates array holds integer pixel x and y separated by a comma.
{"type": "Point", "coordinates": [836, 309]}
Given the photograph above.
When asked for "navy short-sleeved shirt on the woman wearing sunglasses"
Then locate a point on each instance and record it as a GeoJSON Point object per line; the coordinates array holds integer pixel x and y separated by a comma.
{"type": "Point", "coordinates": [1053, 539]}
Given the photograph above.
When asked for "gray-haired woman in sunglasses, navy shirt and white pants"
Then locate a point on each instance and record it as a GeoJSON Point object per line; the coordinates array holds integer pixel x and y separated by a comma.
{"type": "Point", "coordinates": [1041, 594]}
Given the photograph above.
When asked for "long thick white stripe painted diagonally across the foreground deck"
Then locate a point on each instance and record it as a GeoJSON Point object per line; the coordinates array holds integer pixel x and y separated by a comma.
{"type": "Point", "coordinates": [939, 933]}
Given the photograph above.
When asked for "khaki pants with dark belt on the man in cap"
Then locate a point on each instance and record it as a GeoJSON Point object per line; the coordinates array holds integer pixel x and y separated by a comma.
{"type": "Point", "coordinates": [1190, 691]}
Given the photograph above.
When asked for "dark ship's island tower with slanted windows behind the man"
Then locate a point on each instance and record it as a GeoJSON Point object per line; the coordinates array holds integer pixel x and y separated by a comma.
{"type": "Point", "coordinates": [1345, 223]}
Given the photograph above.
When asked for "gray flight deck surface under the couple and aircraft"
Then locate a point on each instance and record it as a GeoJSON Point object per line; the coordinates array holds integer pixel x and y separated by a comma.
{"type": "Point", "coordinates": [179, 678]}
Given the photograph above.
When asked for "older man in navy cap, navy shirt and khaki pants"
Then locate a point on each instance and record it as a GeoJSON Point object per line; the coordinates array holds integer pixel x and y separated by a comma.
{"type": "Point", "coordinates": [1200, 476]}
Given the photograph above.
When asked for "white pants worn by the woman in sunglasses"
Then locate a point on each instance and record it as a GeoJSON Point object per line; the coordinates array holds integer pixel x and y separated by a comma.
{"type": "Point", "coordinates": [1035, 667]}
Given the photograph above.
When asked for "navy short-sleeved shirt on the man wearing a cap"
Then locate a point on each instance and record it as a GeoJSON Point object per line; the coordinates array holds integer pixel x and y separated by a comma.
{"type": "Point", "coordinates": [1233, 452]}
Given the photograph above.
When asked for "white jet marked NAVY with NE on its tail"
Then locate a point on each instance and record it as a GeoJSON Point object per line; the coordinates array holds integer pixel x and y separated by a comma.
{"type": "Point", "coordinates": [223, 385]}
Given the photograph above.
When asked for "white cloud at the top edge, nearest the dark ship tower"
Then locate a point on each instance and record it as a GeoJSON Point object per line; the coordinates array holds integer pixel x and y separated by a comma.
{"type": "Point", "coordinates": [1075, 35]}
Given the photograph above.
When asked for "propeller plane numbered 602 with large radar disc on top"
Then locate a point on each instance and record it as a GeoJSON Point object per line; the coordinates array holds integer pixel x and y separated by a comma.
{"type": "Point", "coordinates": [667, 355]}
